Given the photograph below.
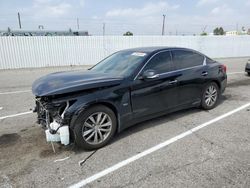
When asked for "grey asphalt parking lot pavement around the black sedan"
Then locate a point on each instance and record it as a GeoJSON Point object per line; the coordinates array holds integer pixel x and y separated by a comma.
{"type": "Point", "coordinates": [216, 155]}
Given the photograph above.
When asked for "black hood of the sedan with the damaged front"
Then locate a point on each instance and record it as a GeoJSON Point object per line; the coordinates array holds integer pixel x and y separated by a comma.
{"type": "Point", "coordinates": [72, 81]}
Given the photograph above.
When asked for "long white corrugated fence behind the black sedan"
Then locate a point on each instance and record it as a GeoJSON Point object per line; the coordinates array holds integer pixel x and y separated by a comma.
{"type": "Point", "coordinates": [24, 52]}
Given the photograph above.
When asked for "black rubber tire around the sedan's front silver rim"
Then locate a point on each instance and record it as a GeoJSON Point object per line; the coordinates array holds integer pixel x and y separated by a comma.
{"type": "Point", "coordinates": [80, 127]}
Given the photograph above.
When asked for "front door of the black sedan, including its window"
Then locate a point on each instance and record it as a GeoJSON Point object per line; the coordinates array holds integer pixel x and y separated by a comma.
{"type": "Point", "coordinates": [150, 96]}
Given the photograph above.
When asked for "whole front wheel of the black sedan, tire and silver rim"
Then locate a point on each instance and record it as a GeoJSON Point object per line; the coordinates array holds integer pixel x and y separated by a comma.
{"type": "Point", "coordinates": [95, 127]}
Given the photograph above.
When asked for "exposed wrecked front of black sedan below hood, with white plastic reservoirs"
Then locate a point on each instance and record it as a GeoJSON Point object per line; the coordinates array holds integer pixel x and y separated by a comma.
{"type": "Point", "coordinates": [51, 116]}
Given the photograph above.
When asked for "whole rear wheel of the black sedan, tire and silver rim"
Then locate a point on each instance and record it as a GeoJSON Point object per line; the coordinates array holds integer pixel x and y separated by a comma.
{"type": "Point", "coordinates": [210, 96]}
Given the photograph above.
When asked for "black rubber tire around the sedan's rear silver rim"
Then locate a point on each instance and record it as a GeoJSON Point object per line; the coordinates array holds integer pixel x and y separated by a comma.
{"type": "Point", "coordinates": [204, 104]}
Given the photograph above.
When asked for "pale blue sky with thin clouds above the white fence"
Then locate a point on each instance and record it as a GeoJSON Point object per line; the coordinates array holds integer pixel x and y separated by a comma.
{"type": "Point", "coordinates": [141, 17]}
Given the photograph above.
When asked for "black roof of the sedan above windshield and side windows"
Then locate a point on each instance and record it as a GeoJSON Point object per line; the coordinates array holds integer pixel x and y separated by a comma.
{"type": "Point", "coordinates": [155, 49]}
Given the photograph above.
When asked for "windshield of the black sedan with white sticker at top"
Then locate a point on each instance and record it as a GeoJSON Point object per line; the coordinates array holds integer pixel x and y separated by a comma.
{"type": "Point", "coordinates": [121, 63]}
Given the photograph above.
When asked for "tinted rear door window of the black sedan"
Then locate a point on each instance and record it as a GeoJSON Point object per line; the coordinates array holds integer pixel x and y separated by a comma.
{"type": "Point", "coordinates": [185, 59]}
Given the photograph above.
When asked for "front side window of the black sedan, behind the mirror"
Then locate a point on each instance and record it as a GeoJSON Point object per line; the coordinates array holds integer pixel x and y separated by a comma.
{"type": "Point", "coordinates": [161, 62]}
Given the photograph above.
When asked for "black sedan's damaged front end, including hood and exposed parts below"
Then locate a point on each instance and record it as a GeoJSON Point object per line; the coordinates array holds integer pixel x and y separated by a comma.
{"type": "Point", "coordinates": [61, 97]}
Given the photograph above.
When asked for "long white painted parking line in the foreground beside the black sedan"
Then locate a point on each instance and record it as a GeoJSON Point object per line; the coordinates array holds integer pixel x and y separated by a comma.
{"type": "Point", "coordinates": [153, 149]}
